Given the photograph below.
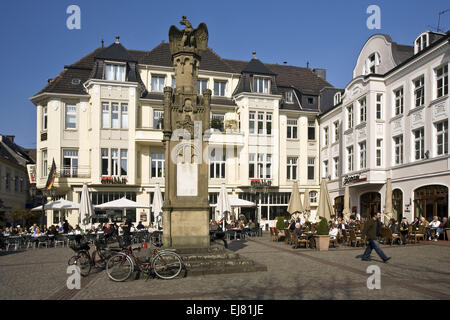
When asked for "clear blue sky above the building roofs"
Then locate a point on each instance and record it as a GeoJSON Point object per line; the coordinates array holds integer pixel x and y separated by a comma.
{"type": "Point", "coordinates": [328, 34]}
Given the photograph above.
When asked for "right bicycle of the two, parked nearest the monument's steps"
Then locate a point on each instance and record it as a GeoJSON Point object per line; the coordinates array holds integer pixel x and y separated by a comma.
{"type": "Point", "coordinates": [166, 264]}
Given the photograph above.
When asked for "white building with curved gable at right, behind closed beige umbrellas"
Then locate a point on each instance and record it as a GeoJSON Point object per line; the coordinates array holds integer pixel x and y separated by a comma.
{"type": "Point", "coordinates": [391, 121]}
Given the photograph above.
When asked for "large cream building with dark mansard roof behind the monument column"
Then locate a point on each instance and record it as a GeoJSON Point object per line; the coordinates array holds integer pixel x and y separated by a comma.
{"type": "Point", "coordinates": [101, 122]}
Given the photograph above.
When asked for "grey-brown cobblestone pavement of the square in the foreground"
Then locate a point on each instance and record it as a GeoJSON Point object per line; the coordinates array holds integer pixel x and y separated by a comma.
{"type": "Point", "coordinates": [414, 272]}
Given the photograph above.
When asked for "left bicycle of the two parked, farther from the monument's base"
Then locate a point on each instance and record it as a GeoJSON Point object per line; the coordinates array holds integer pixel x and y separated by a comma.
{"type": "Point", "coordinates": [86, 261]}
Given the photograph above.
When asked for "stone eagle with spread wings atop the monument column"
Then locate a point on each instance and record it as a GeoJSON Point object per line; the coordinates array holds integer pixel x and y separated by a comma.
{"type": "Point", "coordinates": [189, 38]}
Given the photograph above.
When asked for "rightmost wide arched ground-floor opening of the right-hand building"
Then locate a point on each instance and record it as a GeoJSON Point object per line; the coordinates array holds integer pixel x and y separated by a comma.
{"type": "Point", "coordinates": [431, 201]}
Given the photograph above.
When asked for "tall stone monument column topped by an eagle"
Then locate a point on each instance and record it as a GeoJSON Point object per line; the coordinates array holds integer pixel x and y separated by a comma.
{"type": "Point", "coordinates": [186, 118]}
